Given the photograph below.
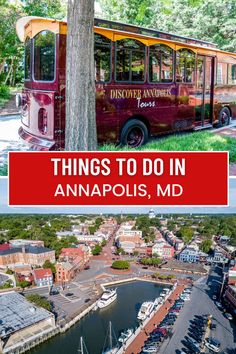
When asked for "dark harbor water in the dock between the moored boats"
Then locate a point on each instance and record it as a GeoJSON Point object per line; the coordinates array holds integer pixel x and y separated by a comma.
{"type": "Point", "coordinates": [94, 326]}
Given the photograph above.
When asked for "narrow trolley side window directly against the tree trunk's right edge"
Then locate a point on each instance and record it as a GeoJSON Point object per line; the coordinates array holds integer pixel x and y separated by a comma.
{"type": "Point", "coordinates": [102, 55]}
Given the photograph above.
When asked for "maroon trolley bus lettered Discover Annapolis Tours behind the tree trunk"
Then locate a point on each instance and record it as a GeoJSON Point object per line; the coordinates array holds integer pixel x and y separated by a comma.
{"type": "Point", "coordinates": [147, 83]}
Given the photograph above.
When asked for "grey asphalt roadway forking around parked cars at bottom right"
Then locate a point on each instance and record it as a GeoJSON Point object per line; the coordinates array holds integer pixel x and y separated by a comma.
{"type": "Point", "coordinates": [201, 303]}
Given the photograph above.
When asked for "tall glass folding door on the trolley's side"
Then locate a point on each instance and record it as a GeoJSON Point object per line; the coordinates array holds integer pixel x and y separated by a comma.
{"type": "Point", "coordinates": [204, 92]}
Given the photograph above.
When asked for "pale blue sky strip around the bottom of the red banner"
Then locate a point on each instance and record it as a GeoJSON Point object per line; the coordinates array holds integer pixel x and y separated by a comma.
{"type": "Point", "coordinates": [4, 209]}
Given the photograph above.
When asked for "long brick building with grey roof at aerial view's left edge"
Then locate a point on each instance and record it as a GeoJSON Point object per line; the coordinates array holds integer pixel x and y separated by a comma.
{"type": "Point", "coordinates": [26, 255]}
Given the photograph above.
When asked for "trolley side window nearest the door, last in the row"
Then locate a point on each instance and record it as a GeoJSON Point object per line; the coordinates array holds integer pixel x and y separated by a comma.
{"type": "Point", "coordinates": [185, 65]}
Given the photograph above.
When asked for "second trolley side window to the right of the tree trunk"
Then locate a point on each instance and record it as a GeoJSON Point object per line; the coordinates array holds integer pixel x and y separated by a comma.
{"type": "Point", "coordinates": [130, 59]}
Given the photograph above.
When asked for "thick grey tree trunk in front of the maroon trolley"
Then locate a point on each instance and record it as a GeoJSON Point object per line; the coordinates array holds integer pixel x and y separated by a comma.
{"type": "Point", "coordinates": [81, 130]}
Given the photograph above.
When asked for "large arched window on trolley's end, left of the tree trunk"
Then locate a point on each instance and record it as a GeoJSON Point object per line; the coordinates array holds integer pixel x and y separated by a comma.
{"type": "Point", "coordinates": [44, 56]}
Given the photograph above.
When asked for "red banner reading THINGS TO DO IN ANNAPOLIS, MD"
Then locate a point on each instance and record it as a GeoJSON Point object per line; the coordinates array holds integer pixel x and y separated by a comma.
{"type": "Point", "coordinates": [118, 178]}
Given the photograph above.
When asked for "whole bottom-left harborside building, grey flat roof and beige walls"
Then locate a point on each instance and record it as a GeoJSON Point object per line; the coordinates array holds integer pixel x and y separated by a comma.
{"type": "Point", "coordinates": [21, 322]}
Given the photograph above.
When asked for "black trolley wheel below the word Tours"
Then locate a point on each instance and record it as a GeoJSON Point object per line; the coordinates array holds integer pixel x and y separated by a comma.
{"type": "Point", "coordinates": [134, 133]}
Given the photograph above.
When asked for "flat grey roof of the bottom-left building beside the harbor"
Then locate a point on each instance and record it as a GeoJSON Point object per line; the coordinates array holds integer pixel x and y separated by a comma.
{"type": "Point", "coordinates": [17, 313]}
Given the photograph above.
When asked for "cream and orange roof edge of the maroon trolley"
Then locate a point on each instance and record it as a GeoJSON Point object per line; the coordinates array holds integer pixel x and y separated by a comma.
{"type": "Point", "coordinates": [106, 28]}
